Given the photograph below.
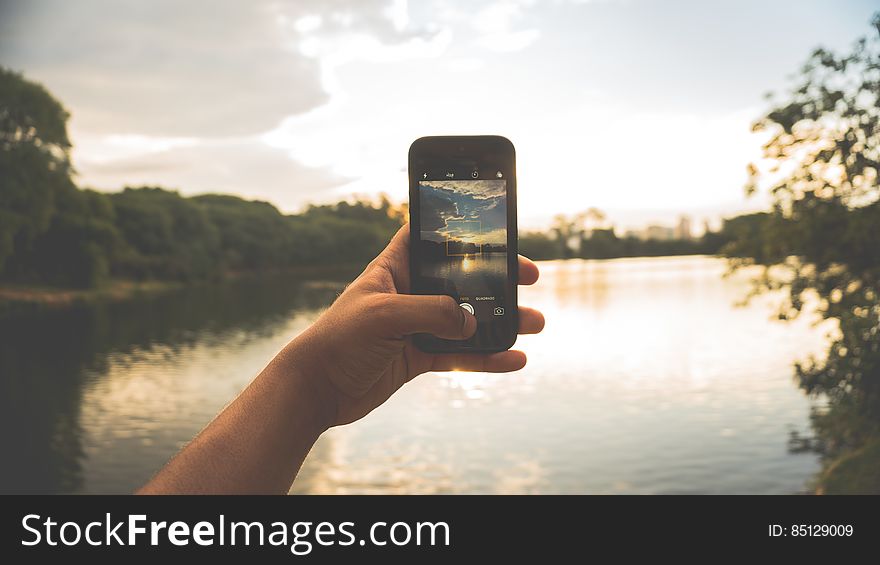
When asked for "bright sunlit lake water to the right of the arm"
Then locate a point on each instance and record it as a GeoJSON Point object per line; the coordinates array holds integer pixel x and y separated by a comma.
{"type": "Point", "coordinates": [646, 380]}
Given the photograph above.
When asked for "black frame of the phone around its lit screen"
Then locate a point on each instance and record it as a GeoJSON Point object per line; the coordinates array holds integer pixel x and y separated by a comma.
{"type": "Point", "coordinates": [449, 148]}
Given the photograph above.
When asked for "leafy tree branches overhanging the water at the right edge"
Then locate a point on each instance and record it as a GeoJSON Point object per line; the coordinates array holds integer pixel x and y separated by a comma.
{"type": "Point", "coordinates": [822, 234]}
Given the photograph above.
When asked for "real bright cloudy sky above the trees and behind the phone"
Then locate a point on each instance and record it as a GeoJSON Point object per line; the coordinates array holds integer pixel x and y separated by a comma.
{"type": "Point", "coordinates": [641, 108]}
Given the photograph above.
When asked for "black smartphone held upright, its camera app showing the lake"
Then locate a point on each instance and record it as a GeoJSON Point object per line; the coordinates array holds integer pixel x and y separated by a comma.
{"type": "Point", "coordinates": [463, 238]}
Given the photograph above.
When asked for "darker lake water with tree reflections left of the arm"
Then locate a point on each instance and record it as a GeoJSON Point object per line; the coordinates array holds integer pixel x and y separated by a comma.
{"type": "Point", "coordinates": [78, 381]}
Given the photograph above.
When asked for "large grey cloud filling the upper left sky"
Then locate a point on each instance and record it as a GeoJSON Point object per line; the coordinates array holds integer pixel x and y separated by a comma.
{"type": "Point", "coordinates": [179, 93]}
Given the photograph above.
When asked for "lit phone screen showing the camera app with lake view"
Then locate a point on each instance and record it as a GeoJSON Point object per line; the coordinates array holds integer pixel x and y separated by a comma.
{"type": "Point", "coordinates": [464, 242]}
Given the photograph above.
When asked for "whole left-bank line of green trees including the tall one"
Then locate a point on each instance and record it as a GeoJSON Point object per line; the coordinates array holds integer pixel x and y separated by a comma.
{"type": "Point", "coordinates": [52, 232]}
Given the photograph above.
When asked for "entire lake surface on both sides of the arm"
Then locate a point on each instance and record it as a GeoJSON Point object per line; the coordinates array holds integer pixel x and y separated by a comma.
{"type": "Point", "coordinates": [647, 379]}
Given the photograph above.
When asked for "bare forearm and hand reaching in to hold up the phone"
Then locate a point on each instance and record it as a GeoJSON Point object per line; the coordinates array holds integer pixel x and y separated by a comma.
{"type": "Point", "coordinates": [352, 359]}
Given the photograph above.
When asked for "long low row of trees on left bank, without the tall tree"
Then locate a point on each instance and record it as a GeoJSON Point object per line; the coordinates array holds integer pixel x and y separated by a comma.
{"type": "Point", "coordinates": [149, 233]}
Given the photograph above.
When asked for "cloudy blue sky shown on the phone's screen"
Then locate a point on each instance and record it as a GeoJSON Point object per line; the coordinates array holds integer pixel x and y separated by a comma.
{"type": "Point", "coordinates": [472, 211]}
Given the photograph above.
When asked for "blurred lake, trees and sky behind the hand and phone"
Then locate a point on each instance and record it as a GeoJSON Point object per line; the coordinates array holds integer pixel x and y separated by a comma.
{"type": "Point", "coordinates": [184, 186]}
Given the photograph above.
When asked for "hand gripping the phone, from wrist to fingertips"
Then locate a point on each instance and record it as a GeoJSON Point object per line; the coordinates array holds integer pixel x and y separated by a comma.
{"type": "Point", "coordinates": [359, 352]}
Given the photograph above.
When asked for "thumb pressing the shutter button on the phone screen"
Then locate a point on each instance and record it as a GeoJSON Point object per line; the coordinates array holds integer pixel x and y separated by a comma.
{"type": "Point", "coordinates": [437, 315]}
